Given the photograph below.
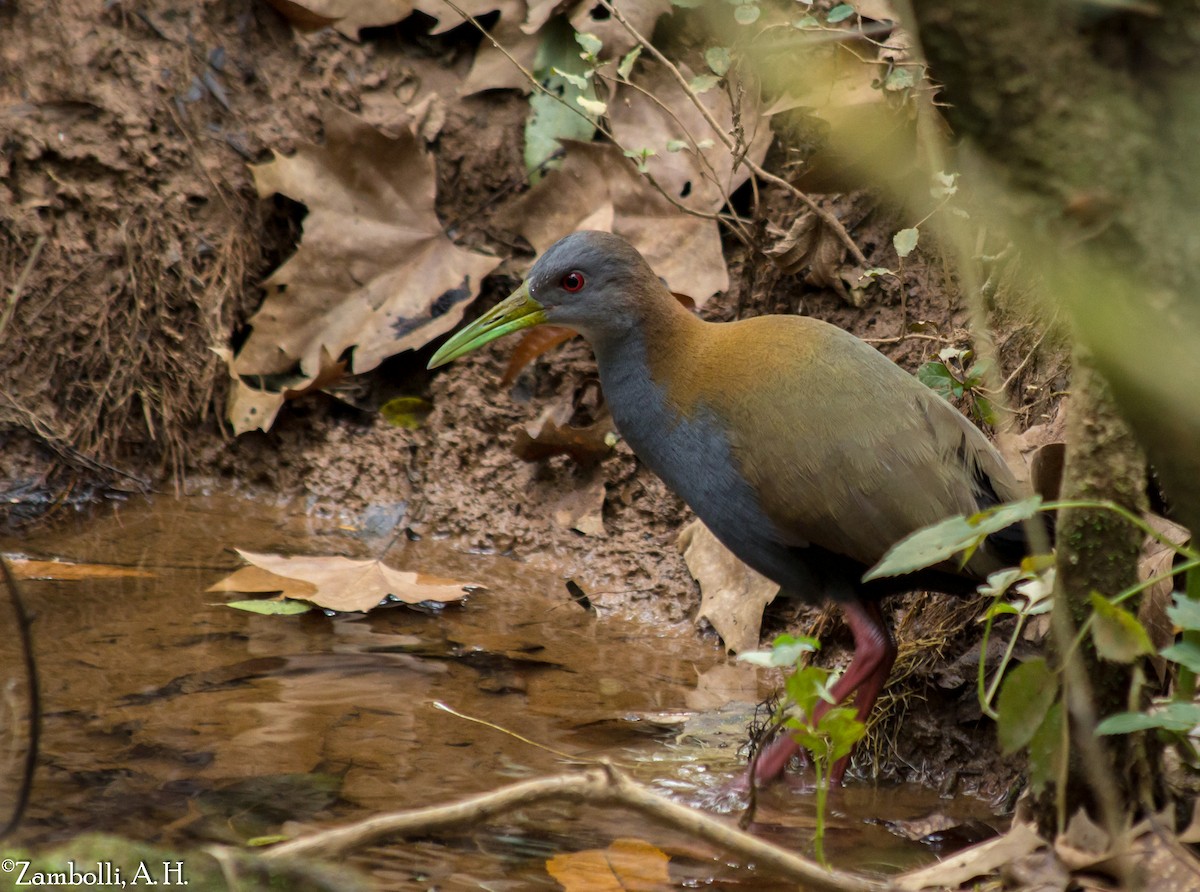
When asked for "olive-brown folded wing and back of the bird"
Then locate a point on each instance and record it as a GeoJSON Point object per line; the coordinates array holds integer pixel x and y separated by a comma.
{"type": "Point", "coordinates": [848, 451]}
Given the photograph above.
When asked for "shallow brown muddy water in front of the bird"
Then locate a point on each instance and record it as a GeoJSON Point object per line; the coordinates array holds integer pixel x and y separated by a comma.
{"type": "Point", "coordinates": [171, 719]}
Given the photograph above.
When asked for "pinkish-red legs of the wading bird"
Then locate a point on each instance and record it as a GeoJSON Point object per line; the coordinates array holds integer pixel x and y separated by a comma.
{"type": "Point", "coordinates": [867, 674]}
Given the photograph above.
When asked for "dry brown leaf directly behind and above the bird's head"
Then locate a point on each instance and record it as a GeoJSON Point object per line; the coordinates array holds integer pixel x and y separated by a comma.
{"type": "Point", "coordinates": [598, 188]}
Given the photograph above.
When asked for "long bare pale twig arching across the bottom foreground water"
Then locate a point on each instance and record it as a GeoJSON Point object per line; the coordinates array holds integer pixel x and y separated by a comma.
{"type": "Point", "coordinates": [602, 786]}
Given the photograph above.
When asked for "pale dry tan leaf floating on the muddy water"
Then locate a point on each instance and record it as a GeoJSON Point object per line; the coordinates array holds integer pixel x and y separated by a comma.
{"type": "Point", "coordinates": [338, 583]}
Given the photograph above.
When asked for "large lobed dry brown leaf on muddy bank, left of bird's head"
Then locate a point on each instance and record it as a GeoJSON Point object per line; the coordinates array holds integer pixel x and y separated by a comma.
{"type": "Point", "coordinates": [375, 273]}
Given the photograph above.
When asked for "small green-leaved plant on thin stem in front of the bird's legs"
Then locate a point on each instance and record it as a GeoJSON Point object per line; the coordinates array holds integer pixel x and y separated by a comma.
{"type": "Point", "coordinates": [827, 738]}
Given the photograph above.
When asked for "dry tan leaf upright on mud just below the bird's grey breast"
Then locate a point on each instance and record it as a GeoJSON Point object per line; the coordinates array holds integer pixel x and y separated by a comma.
{"type": "Point", "coordinates": [733, 596]}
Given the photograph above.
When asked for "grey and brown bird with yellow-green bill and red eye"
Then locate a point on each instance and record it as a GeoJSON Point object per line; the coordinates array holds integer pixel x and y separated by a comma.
{"type": "Point", "coordinates": [806, 451]}
